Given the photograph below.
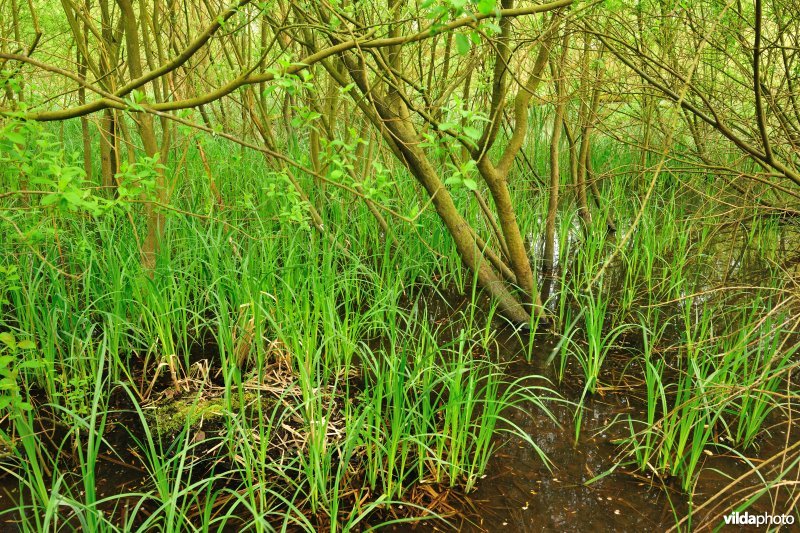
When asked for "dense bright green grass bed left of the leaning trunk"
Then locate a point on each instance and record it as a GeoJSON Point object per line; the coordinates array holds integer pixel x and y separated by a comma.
{"type": "Point", "coordinates": [328, 392]}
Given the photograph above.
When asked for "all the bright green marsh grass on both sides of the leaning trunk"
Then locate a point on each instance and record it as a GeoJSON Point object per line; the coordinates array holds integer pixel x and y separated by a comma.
{"type": "Point", "coordinates": [338, 379]}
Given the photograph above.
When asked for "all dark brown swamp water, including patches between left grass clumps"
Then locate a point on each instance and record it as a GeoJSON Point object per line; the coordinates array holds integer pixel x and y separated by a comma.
{"type": "Point", "coordinates": [589, 487]}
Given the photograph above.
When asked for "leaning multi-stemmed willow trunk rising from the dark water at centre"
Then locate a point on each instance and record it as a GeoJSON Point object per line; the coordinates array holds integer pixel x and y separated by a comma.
{"type": "Point", "coordinates": [405, 113]}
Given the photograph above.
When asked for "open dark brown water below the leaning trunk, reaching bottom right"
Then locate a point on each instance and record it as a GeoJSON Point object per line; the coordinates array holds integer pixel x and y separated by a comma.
{"type": "Point", "coordinates": [520, 494]}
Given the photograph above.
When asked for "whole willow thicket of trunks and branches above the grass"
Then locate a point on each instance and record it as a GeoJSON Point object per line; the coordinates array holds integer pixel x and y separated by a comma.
{"type": "Point", "coordinates": [445, 87]}
